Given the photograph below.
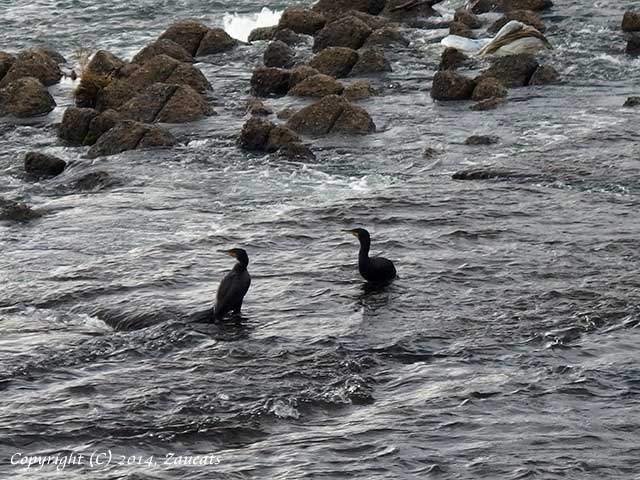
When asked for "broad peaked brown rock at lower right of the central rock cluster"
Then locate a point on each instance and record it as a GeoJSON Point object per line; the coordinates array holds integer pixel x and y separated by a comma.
{"type": "Point", "coordinates": [331, 114]}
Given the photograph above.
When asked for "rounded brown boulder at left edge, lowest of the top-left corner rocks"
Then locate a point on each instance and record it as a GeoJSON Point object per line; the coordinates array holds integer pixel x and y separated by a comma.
{"type": "Point", "coordinates": [25, 97]}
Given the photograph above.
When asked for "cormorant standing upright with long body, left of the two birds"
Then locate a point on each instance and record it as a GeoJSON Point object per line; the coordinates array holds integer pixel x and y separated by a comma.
{"type": "Point", "coordinates": [233, 286]}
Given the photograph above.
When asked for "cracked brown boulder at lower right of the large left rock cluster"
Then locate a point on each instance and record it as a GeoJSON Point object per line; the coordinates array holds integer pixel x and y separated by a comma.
{"type": "Point", "coordinates": [166, 104]}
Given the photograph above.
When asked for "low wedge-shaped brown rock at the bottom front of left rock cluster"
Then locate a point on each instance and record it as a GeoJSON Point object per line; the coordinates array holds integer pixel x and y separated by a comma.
{"type": "Point", "coordinates": [130, 135]}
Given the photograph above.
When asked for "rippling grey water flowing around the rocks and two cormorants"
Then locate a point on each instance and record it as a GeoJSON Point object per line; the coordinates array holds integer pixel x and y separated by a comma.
{"type": "Point", "coordinates": [508, 347]}
